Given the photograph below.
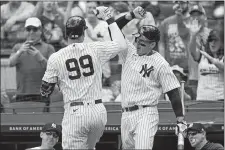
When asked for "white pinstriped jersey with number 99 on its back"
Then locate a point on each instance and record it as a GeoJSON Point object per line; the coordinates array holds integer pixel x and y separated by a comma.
{"type": "Point", "coordinates": [78, 69]}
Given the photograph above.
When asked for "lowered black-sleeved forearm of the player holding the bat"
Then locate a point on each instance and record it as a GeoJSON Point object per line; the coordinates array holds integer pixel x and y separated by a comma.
{"type": "Point", "coordinates": [175, 98]}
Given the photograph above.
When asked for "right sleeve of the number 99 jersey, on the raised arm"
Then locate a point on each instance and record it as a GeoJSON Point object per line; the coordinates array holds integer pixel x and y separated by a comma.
{"type": "Point", "coordinates": [106, 50]}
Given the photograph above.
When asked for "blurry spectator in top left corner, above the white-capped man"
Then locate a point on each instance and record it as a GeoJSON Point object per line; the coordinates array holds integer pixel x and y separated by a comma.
{"type": "Point", "coordinates": [13, 16]}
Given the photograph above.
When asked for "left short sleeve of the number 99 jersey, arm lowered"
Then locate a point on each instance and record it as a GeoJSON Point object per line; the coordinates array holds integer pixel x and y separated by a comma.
{"type": "Point", "coordinates": [51, 73]}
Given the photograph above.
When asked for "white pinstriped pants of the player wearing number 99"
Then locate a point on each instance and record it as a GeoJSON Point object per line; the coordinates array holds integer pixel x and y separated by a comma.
{"type": "Point", "coordinates": [83, 125]}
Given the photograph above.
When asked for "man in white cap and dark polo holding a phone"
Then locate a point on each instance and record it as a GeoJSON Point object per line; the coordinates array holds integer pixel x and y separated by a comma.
{"type": "Point", "coordinates": [30, 60]}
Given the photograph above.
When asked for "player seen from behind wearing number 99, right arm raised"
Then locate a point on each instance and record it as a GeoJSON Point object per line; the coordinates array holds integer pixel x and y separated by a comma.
{"type": "Point", "coordinates": [77, 69]}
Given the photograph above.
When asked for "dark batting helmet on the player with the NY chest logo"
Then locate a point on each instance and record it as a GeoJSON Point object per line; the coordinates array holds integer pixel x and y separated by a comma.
{"type": "Point", "coordinates": [150, 32]}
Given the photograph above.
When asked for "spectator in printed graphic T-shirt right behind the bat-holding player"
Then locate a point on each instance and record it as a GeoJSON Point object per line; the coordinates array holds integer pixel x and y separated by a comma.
{"type": "Point", "coordinates": [173, 45]}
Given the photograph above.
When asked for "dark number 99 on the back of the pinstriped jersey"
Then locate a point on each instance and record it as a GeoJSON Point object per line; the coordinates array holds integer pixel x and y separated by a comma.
{"type": "Point", "coordinates": [75, 67]}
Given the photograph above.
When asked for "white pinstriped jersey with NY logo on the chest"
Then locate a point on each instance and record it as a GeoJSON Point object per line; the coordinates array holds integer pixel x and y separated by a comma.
{"type": "Point", "coordinates": [144, 78]}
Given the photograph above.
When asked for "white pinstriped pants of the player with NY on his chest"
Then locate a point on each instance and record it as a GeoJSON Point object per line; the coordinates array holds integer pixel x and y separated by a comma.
{"type": "Point", "coordinates": [139, 127]}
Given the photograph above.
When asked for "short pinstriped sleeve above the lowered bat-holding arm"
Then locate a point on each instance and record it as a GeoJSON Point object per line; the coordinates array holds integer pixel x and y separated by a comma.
{"type": "Point", "coordinates": [167, 79]}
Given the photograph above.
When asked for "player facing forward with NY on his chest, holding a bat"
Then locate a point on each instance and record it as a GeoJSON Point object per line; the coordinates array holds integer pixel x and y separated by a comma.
{"type": "Point", "coordinates": [145, 76]}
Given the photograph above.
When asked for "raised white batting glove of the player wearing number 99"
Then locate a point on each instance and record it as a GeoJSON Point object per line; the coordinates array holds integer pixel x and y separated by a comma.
{"type": "Point", "coordinates": [103, 13]}
